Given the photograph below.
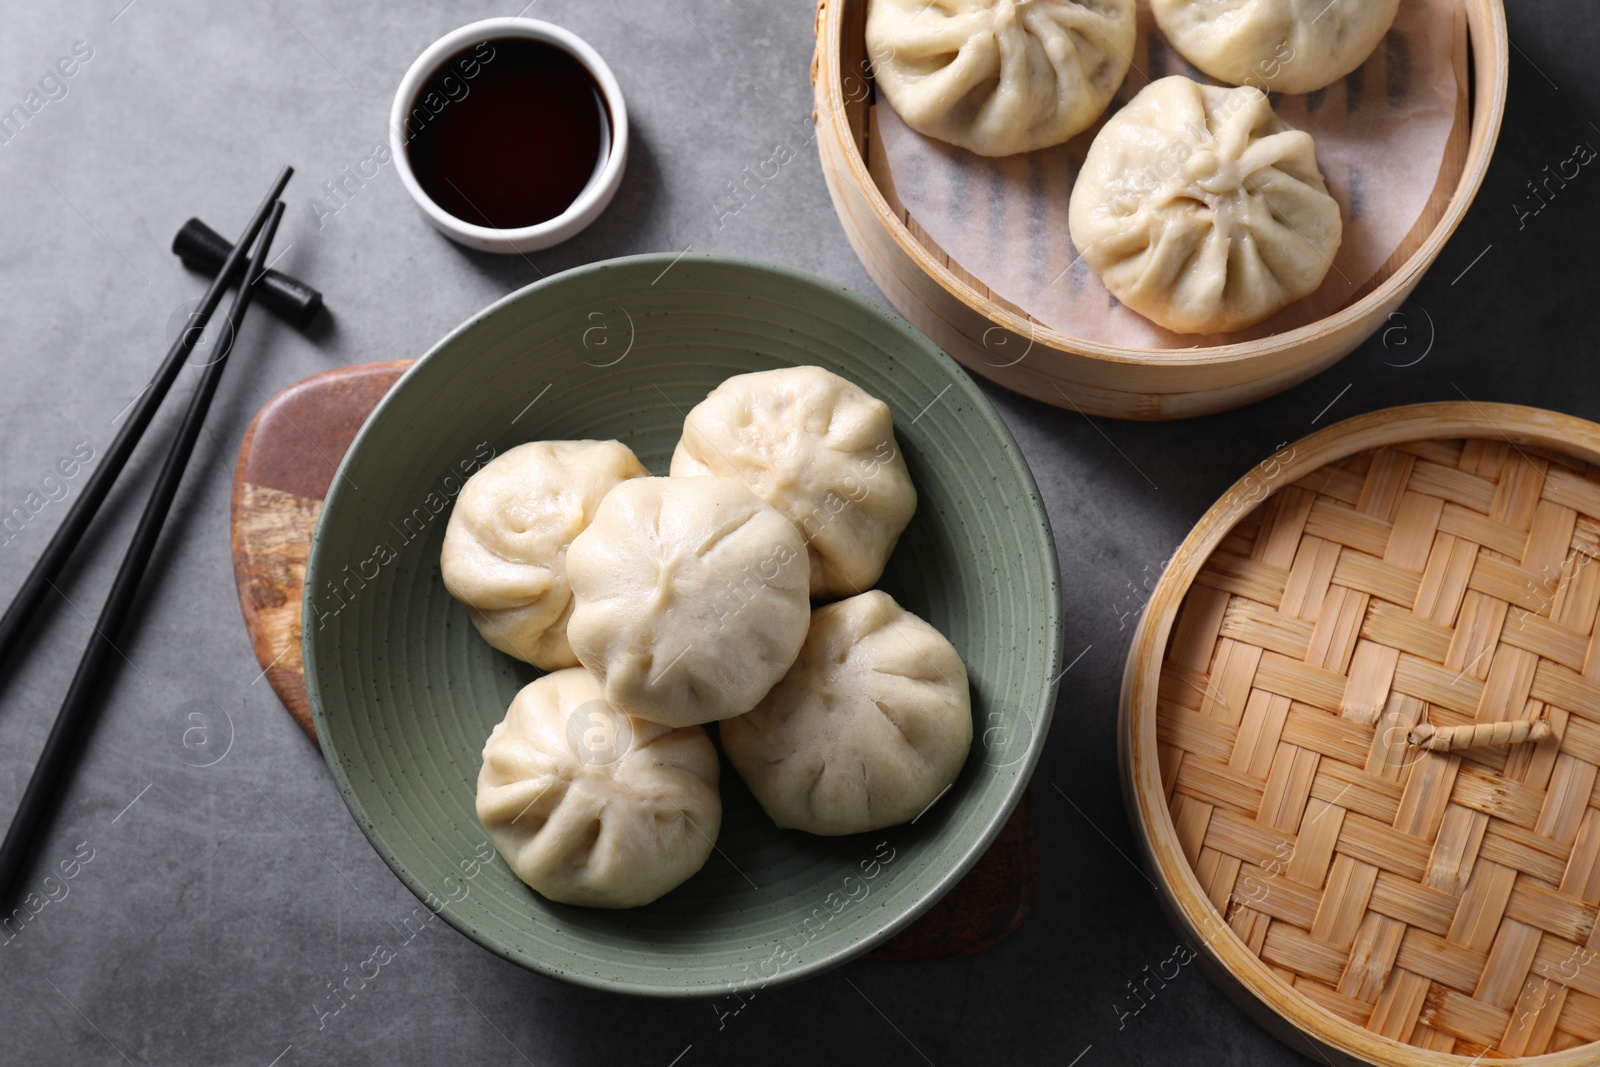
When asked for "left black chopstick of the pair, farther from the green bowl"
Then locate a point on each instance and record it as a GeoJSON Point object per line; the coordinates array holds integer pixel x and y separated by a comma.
{"type": "Point", "coordinates": [66, 538]}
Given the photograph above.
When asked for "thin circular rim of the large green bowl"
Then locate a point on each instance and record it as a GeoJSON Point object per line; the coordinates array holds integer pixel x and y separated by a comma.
{"type": "Point", "coordinates": [1039, 721]}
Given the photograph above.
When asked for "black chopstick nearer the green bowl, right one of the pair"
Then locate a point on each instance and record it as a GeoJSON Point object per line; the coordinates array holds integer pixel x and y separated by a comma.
{"type": "Point", "coordinates": [73, 724]}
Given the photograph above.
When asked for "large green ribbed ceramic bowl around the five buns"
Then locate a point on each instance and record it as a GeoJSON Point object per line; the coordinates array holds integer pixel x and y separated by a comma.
{"type": "Point", "coordinates": [406, 692]}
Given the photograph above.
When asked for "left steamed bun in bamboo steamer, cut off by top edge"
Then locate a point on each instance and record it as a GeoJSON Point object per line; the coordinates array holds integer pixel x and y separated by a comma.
{"type": "Point", "coordinates": [1001, 76]}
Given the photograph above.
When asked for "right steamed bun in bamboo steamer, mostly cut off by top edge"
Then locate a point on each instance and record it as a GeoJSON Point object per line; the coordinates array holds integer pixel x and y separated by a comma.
{"type": "Point", "coordinates": [1278, 46]}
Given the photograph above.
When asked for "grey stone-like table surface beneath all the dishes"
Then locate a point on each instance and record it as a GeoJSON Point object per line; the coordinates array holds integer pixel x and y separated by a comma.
{"type": "Point", "coordinates": [222, 903]}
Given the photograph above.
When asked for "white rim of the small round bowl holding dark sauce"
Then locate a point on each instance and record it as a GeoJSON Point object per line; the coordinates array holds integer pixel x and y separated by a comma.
{"type": "Point", "coordinates": [598, 193]}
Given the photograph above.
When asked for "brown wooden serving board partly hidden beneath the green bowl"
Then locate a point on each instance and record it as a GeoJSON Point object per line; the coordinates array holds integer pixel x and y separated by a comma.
{"type": "Point", "coordinates": [286, 466]}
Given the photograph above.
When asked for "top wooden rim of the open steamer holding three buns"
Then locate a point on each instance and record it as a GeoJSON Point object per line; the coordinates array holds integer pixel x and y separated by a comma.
{"type": "Point", "coordinates": [1492, 54]}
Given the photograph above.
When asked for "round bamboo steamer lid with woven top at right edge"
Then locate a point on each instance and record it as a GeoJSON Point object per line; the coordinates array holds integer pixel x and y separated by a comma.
{"type": "Point", "coordinates": [1358, 895]}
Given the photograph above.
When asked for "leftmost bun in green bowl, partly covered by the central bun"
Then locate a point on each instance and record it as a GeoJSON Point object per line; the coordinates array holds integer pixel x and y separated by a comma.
{"type": "Point", "coordinates": [506, 541]}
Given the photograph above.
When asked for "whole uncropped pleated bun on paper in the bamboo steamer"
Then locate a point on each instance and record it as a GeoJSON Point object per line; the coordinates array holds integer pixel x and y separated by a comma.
{"type": "Point", "coordinates": [1202, 210]}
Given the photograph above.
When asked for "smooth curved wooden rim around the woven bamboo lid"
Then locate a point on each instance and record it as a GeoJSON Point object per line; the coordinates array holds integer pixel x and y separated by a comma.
{"type": "Point", "coordinates": [1258, 991]}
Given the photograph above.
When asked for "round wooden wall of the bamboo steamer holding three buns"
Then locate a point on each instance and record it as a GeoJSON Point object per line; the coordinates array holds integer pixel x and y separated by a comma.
{"type": "Point", "coordinates": [998, 340]}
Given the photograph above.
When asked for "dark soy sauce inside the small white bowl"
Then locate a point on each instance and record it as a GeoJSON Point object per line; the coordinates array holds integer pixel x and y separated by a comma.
{"type": "Point", "coordinates": [508, 134]}
